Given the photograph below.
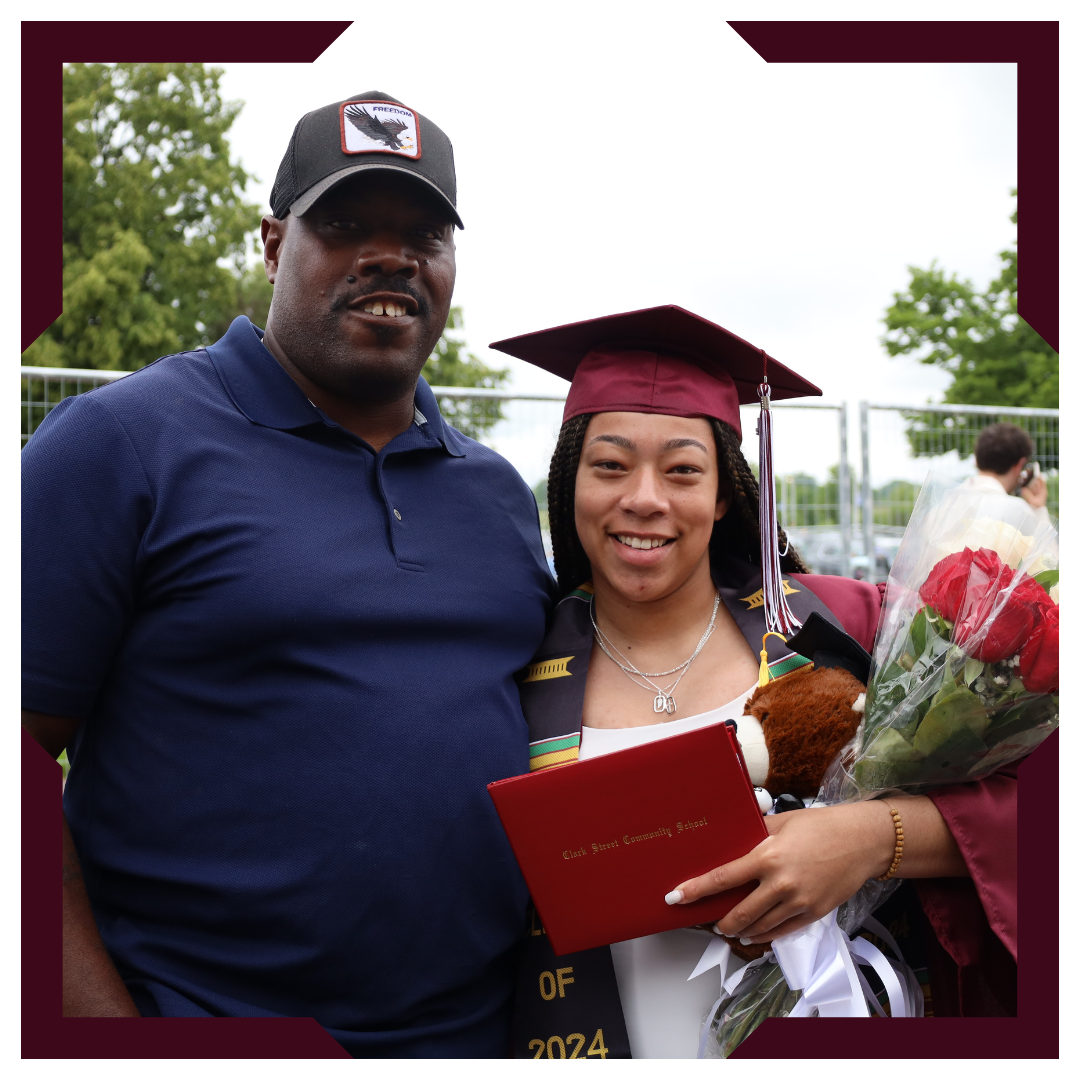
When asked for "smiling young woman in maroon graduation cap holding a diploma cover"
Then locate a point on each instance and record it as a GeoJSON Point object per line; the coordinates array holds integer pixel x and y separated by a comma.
{"type": "Point", "coordinates": [655, 530]}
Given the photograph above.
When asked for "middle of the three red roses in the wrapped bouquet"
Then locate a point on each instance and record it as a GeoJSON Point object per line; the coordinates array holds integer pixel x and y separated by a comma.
{"type": "Point", "coordinates": [988, 634]}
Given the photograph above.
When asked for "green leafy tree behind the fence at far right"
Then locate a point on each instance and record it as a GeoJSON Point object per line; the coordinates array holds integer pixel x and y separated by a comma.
{"type": "Point", "coordinates": [995, 358]}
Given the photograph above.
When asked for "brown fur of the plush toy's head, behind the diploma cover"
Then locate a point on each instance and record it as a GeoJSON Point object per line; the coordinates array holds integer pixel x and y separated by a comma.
{"type": "Point", "coordinates": [806, 719]}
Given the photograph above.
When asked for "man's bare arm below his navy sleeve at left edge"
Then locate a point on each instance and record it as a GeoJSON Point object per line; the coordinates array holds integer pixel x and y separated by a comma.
{"type": "Point", "coordinates": [92, 987]}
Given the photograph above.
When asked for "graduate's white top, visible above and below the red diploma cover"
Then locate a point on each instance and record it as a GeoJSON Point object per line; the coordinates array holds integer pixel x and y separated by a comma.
{"type": "Point", "coordinates": [663, 1010]}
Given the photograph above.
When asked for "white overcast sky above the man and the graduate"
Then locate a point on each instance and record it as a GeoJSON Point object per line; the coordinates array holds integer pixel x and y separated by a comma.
{"type": "Point", "coordinates": [605, 167]}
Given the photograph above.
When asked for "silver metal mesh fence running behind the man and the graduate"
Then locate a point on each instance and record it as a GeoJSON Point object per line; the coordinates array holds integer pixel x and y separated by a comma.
{"type": "Point", "coordinates": [840, 526]}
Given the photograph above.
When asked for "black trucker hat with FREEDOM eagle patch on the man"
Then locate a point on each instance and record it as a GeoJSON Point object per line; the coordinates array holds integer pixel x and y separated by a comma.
{"type": "Point", "coordinates": [370, 131]}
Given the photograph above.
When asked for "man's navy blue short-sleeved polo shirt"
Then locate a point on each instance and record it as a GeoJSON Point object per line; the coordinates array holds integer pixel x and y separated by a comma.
{"type": "Point", "coordinates": [294, 660]}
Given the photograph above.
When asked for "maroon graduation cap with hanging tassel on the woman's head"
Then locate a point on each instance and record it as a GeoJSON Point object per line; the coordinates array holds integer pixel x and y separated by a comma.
{"type": "Point", "coordinates": [670, 361]}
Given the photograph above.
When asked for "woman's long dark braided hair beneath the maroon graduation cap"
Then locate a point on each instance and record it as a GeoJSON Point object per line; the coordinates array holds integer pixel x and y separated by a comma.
{"type": "Point", "coordinates": [736, 534]}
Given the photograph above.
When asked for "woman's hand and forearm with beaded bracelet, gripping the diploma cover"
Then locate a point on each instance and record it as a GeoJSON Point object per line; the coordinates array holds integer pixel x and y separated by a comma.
{"type": "Point", "coordinates": [815, 860]}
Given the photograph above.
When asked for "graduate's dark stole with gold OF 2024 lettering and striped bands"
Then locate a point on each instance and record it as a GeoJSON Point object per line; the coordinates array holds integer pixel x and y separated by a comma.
{"type": "Point", "coordinates": [570, 1006]}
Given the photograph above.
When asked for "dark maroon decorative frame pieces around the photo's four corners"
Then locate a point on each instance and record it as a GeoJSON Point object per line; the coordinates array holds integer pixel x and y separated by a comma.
{"type": "Point", "coordinates": [1033, 46]}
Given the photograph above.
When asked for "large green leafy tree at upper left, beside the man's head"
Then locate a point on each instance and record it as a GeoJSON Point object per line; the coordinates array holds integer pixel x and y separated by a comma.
{"type": "Point", "coordinates": [156, 227]}
